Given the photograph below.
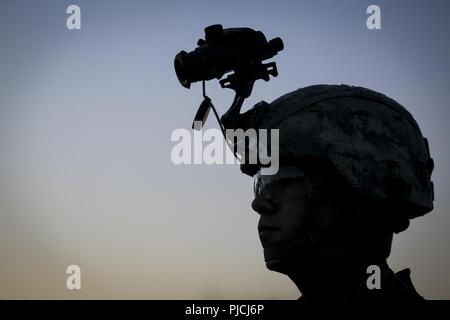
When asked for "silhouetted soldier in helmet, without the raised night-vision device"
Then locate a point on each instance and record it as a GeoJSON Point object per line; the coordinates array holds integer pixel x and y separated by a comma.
{"type": "Point", "coordinates": [354, 170]}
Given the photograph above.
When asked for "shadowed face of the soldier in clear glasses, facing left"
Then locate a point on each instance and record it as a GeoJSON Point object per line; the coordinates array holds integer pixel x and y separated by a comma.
{"type": "Point", "coordinates": [282, 209]}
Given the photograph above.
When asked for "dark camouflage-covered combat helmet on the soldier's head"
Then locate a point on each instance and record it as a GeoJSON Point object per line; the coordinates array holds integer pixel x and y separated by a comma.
{"type": "Point", "coordinates": [370, 140]}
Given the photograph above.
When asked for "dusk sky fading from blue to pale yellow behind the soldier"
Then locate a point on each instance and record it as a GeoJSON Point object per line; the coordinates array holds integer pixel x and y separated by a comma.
{"type": "Point", "coordinates": [85, 124]}
